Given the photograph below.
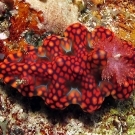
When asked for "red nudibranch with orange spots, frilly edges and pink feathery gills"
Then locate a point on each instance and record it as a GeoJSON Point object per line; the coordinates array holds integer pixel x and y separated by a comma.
{"type": "Point", "coordinates": [73, 69]}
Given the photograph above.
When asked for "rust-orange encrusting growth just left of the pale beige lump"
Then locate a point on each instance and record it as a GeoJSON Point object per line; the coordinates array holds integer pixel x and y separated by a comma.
{"type": "Point", "coordinates": [28, 18]}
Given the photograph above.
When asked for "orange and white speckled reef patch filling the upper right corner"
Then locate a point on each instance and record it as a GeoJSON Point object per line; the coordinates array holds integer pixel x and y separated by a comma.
{"type": "Point", "coordinates": [117, 16]}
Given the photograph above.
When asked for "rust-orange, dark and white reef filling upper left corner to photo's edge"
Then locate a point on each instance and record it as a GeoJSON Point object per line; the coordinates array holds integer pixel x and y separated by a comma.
{"type": "Point", "coordinates": [12, 30]}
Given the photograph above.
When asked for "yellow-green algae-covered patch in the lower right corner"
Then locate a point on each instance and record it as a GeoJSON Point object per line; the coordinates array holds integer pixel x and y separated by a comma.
{"type": "Point", "coordinates": [119, 120]}
